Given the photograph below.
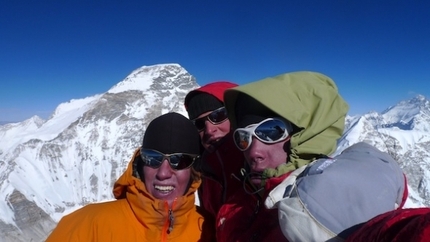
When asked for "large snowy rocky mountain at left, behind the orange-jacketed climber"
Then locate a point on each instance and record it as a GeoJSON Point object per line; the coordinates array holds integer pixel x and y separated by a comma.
{"type": "Point", "coordinates": [49, 168]}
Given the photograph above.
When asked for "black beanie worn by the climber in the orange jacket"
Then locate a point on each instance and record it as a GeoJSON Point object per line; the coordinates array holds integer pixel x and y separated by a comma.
{"type": "Point", "coordinates": [172, 133]}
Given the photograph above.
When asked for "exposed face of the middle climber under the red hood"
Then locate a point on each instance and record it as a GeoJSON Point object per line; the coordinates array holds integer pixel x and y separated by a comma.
{"type": "Point", "coordinates": [213, 133]}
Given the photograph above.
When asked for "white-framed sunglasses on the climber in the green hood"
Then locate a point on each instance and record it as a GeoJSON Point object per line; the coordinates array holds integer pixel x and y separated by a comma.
{"type": "Point", "coordinates": [268, 131]}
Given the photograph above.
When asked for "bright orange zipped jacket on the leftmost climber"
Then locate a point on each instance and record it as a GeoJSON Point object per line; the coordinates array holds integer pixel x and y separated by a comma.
{"type": "Point", "coordinates": [135, 216]}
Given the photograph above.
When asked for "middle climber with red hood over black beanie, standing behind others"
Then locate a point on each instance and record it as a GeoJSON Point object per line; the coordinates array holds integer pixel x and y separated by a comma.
{"type": "Point", "coordinates": [221, 159]}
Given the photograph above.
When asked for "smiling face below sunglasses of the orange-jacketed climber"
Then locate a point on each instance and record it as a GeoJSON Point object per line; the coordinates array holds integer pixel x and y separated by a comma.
{"type": "Point", "coordinates": [164, 183]}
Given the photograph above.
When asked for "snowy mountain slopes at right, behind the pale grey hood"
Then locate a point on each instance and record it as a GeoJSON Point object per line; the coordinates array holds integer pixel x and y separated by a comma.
{"type": "Point", "coordinates": [403, 132]}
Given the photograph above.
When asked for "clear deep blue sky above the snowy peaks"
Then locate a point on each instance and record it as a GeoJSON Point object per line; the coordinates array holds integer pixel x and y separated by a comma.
{"type": "Point", "coordinates": [378, 52]}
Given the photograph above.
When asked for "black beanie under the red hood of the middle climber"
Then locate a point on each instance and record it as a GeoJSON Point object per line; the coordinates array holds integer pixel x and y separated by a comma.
{"type": "Point", "coordinates": [201, 103]}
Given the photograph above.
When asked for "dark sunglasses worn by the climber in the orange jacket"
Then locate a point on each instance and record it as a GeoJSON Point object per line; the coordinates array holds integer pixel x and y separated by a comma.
{"type": "Point", "coordinates": [178, 161]}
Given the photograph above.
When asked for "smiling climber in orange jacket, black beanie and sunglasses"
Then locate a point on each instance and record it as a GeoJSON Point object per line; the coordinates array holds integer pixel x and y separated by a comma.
{"type": "Point", "coordinates": [155, 195]}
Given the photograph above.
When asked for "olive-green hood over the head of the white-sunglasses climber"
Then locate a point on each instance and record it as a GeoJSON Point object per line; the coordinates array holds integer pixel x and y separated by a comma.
{"type": "Point", "coordinates": [309, 100]}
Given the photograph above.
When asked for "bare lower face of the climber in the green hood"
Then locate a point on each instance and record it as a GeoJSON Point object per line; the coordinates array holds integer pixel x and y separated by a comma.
{"type": "Point", "coordinates": [261, 156]}
